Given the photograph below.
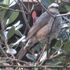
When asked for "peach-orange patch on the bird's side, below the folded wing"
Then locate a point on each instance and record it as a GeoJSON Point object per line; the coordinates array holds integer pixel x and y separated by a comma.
{"type": "Point", "coordinates": [43, 32]}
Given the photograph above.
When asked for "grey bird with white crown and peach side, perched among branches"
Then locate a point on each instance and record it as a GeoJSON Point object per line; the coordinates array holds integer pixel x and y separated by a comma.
{"type": "Point", "coordinates": [45, 28]}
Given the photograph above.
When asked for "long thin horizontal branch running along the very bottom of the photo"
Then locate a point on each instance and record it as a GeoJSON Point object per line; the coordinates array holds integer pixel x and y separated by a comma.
{"type": "Point", "coordinates": [32, 66]}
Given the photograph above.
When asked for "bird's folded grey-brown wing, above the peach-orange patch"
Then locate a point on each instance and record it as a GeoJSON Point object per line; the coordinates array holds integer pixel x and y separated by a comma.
{"type": "Point", "coordinates": [40, 22]}
